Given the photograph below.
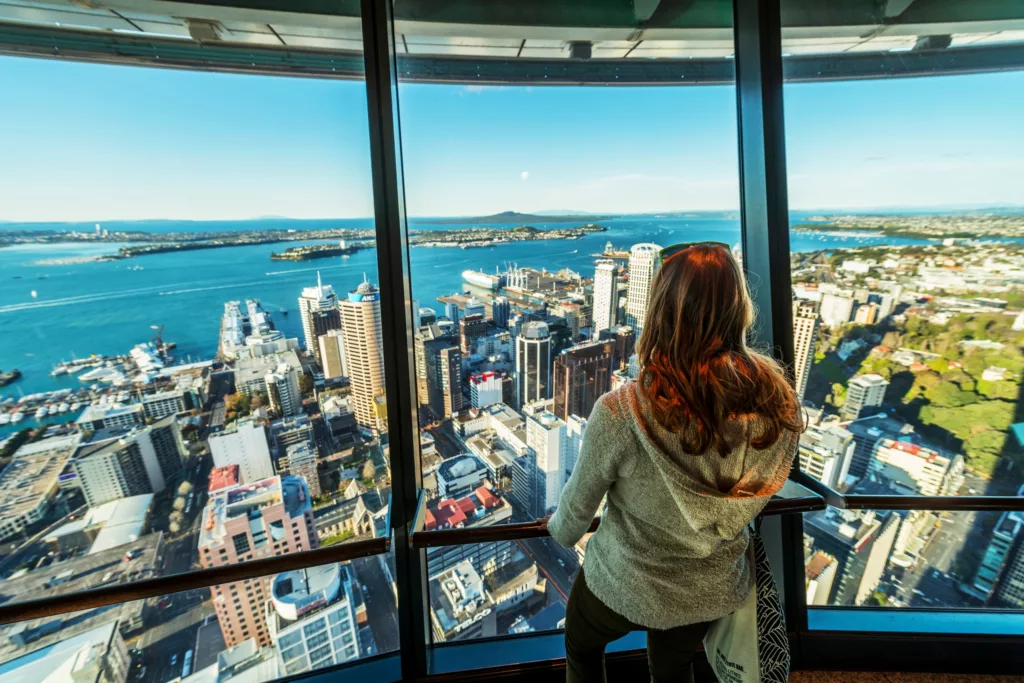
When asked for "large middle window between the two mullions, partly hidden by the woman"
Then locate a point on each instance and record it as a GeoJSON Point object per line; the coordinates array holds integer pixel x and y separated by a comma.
{"type": "Point", "coordinates": [537, 210]}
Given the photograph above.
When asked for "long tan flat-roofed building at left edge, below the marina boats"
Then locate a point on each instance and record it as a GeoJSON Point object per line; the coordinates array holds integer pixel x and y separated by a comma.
{"type": "Point", "coordinates": [30, 483]}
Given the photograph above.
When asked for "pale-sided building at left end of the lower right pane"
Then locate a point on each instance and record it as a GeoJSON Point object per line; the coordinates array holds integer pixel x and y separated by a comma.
{"type": "Point", "coordinates": [861, 541]}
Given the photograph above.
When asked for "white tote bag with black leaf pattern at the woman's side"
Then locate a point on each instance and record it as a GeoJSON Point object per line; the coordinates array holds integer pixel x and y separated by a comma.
{"type": "Point", "coordinates": [751, 646]}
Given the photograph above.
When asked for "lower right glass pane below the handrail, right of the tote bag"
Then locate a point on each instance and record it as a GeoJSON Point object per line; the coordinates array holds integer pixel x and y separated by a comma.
{"type": "Point", "coordinates": [916, 559]}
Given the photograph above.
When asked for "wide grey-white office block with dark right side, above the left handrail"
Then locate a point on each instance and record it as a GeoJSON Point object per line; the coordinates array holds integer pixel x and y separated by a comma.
{"type": "Point", "coordinates": [130, 461]}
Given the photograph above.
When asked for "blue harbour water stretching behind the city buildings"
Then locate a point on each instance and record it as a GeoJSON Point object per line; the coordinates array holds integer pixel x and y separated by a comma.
{"type": "Point", "coordinates": [53, 313]}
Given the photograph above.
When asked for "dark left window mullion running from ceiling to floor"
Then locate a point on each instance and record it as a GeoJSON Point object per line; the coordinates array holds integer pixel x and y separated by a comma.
{"type": "Point", "coordinates": [397, 329]}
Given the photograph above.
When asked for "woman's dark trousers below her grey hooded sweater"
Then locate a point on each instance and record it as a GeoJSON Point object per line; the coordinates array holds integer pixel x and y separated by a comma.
{"type": "Point", "coordinates": [590, 626]}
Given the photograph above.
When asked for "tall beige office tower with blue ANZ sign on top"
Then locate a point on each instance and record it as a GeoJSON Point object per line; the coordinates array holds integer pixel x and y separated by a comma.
{"type": "Point", "coordinates": [361, 315]}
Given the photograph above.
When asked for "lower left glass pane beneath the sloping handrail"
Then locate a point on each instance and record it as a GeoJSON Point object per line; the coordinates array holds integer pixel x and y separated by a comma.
{"type": "Point", "coordinates": [182, 635]}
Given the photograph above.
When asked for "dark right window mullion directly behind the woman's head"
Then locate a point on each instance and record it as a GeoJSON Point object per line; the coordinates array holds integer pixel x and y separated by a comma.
{"type": "Point", "coordinates": [764, 211]}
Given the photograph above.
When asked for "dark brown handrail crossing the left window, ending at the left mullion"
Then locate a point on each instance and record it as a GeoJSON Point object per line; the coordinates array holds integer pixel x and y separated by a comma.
{"type": "Point", "coordinates": [150, 588]}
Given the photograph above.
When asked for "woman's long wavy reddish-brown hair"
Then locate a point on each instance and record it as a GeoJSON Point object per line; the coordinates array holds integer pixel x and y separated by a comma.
{"type": "Point", "coordinates": [697, 371]}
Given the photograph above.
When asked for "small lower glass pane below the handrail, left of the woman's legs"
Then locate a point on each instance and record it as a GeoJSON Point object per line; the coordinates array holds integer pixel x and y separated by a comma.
{"type": "Point", "coordinates": [497, 589]}
